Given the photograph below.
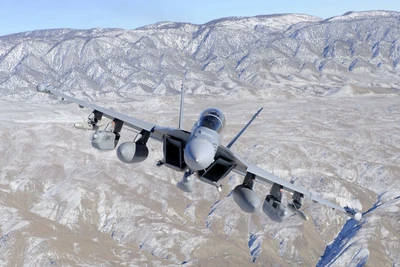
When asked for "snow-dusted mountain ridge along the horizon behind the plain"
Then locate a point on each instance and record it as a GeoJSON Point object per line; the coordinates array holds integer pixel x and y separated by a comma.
{"type": "Point", "coordinates": [292, 54]}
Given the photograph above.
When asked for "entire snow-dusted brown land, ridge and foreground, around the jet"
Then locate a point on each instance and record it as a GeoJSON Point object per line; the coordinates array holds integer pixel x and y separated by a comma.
{"type": "Point", "coordinates": [63, 203]}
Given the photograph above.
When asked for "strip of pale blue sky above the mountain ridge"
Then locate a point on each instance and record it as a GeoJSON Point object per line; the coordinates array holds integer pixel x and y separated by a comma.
{"type": "Point", "coordinates": [26, 15]}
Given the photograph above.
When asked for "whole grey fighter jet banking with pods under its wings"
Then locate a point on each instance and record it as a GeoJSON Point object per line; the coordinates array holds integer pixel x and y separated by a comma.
{"type": "Point", "coordinates": [200, 155]}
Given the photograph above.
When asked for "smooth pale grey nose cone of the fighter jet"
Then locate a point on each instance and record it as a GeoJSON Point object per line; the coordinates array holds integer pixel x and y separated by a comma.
{"type": "Point", "coordinates": [199, 154]}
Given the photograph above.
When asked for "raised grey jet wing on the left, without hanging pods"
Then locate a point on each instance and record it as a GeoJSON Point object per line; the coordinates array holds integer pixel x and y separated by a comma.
{"type": "Point", "coordinates": [156, 132]}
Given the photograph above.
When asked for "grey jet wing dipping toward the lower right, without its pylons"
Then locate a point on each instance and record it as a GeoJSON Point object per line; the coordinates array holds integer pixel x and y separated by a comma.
{"type": "Point", "coordinates": [242, 167]}
